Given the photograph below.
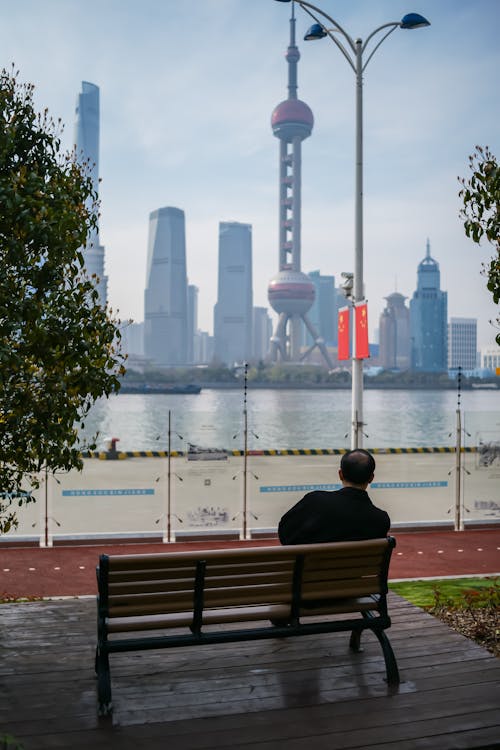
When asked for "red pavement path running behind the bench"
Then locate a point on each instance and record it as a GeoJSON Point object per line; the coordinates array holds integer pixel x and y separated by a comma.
{"type": "Point", "coordinates": [70, 571]}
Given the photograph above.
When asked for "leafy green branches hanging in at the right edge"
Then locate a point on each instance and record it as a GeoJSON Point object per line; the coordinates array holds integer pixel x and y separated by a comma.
{"type": "Point", "coordinates": [480, 195]}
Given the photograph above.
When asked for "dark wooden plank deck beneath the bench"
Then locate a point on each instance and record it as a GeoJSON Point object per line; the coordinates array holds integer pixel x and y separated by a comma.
{"type": "Point", "coordinates": [297, 693]}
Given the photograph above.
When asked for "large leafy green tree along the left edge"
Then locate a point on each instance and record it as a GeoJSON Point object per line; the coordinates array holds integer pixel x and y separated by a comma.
{"type": "Point", "coordinates": [59, 348]}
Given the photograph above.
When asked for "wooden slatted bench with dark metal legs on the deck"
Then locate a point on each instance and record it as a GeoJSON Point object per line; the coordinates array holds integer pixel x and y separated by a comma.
{"type": "Point", "coordinates": [181, 598]}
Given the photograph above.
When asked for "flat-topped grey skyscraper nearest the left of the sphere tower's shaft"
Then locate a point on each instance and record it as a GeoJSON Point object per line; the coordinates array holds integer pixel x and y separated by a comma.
{"type": "Point", "coordinates": [233, 310]}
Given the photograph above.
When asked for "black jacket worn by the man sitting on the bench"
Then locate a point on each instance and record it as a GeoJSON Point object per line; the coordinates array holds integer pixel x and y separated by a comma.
{"type": "Point", "coordinates": [345, 515]}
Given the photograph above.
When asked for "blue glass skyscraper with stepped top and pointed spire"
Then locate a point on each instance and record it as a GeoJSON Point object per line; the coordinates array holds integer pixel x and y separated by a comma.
{"type": "Point", "coordinates": [428, 319]}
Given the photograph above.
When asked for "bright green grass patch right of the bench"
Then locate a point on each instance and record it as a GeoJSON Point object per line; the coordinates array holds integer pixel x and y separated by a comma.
{"type": "Point", "coordinates": [452, 591]}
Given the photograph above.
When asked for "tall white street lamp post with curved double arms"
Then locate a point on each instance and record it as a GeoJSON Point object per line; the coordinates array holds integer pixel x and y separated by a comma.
{"type": "Point", "coordinates": [354, 52]}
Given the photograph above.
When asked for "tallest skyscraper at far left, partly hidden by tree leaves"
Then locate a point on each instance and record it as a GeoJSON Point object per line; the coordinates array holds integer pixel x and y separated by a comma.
{"type": "Point", "coordinates": [87, 153]}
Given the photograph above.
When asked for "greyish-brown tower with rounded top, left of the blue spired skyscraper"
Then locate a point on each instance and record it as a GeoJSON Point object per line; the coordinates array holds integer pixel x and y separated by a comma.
{"type": "Point", "coordinates": [394, 333]}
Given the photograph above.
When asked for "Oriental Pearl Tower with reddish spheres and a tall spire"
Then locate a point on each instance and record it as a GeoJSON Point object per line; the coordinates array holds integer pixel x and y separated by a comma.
{"type": "Point", "coordinates": [291, 293]}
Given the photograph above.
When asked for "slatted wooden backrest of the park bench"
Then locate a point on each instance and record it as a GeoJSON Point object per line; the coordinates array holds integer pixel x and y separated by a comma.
{"type": "Point", "coordinates": [137, 585]}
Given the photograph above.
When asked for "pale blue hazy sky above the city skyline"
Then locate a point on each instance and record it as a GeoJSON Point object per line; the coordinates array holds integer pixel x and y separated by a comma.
{"type": "Point", "coordinates": [187, 91]}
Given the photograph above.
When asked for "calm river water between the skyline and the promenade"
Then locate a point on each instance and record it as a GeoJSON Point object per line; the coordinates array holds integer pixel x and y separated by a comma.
{"type": "Point", "coordinates": [286, 419]}
